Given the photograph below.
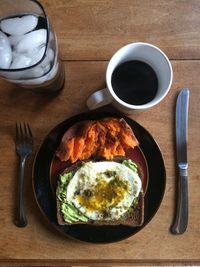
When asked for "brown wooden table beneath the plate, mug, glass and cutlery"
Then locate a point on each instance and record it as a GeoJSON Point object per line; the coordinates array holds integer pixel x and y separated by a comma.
{"type": "Point", "coordinates": [89, 32]}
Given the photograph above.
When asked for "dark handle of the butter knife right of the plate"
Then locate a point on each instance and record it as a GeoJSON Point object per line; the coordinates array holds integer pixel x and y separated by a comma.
{"type": "Point", "coordinates": [181, 218]}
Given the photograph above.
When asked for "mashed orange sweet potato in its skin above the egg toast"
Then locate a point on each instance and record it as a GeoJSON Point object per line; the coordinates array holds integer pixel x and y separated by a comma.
{"type": "Point", "coordinates": [105, 138]}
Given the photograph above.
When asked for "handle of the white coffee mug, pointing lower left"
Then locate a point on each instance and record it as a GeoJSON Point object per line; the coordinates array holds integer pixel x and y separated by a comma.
{"type": "Point", "coordinates": [99, 98]}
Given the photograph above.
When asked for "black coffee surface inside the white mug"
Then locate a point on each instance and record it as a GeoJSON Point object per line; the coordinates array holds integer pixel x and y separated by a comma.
{"type": "Point", "coordinates": [135, 82]}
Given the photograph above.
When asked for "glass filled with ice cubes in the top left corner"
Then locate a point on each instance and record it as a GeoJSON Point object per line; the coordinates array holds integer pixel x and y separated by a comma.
{"type": "Point", "coordinates": [28, 47]}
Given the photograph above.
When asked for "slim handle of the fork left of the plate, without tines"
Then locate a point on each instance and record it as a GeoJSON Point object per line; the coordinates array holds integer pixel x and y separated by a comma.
{"type": "Point", "coordinates": [21, 220]}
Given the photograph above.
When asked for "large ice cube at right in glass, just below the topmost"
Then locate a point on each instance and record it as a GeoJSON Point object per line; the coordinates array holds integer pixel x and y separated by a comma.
{"type": "Point", "coordinates": [31, 41]}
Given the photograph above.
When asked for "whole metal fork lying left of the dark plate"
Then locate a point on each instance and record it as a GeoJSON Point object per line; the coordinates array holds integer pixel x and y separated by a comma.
{"type": "Point", "coordinates": [24, 147]}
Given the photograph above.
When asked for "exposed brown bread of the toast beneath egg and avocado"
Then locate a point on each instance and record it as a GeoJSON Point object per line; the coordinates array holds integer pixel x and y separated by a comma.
{"type": "Point", "coordinates": [133, 217]}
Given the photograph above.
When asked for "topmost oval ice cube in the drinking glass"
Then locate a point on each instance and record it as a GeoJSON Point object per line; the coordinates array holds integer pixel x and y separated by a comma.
{"type": "Point", "coordinates": [19, 25]}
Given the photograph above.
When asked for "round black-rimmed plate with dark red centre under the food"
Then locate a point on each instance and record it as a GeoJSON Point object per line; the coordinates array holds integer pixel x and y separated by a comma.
{"type": "Point", "coordinates": [46, 169]}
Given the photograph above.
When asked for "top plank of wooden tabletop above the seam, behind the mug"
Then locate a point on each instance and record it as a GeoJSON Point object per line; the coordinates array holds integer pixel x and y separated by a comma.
{"type": "Point", "coordinates": [93, 30]}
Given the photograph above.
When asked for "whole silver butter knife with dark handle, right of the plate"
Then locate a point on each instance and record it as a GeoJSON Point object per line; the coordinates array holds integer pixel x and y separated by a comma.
{"type": "Point", "coordinates": [181, 216]}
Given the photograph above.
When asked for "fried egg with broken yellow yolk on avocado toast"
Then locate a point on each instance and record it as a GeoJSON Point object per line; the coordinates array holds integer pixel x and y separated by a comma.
{"type": "Point", "coordinates": [103, 190]}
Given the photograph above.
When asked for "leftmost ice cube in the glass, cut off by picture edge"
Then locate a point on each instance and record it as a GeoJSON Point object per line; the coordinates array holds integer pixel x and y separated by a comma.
{"type": "Point", "coordinates": [5, 51]}
